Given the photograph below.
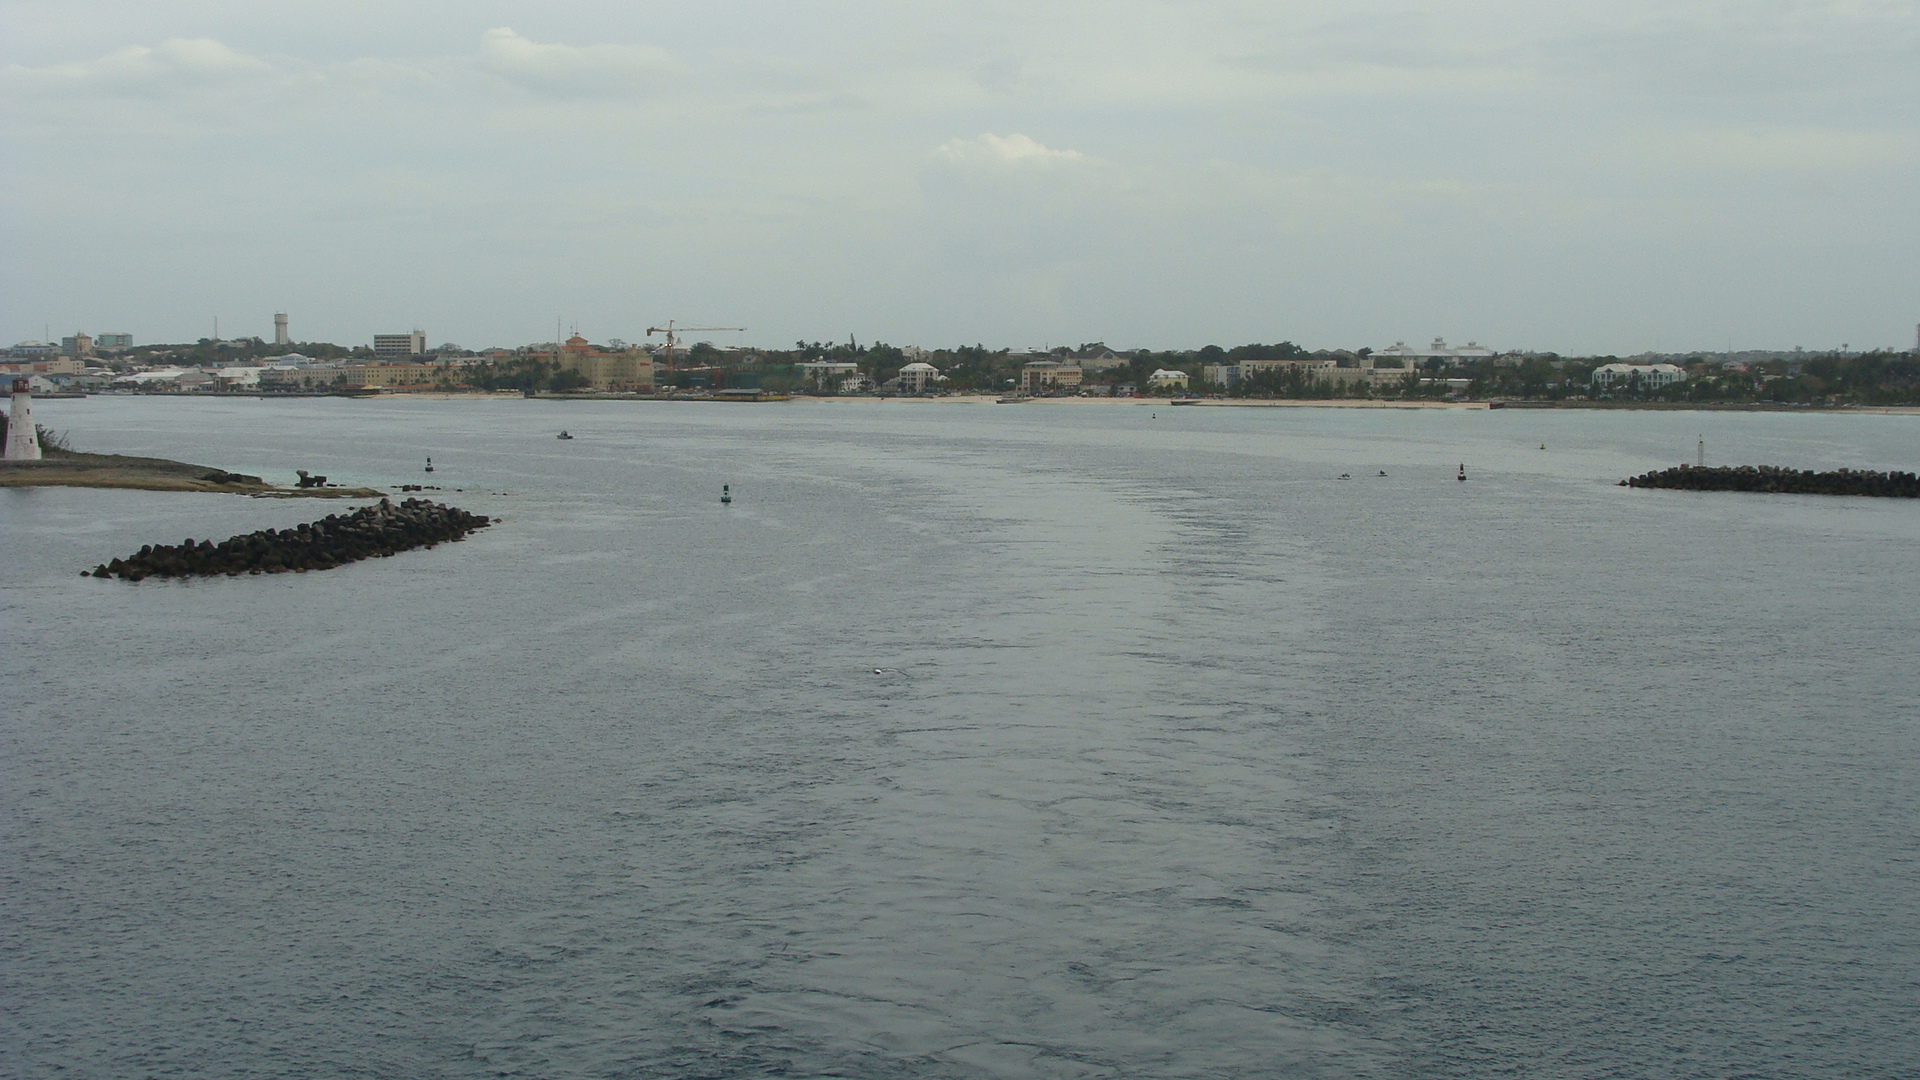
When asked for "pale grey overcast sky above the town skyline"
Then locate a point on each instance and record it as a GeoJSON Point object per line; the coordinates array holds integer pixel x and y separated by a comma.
{"type": "Point", "coordinates": [1564, 176]}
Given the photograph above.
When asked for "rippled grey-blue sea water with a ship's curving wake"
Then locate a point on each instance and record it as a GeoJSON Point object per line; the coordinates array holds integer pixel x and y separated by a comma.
{"type": "Point", "coordinates": [1047, 741]}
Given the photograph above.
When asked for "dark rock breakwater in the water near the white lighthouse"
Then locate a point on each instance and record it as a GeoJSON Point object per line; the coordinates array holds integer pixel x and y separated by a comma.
{"type": "Point", "coordinates": [339, 539]}
